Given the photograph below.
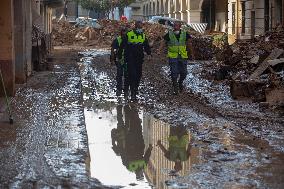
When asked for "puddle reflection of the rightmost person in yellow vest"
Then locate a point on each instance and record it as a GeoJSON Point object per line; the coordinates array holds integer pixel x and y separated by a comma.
{"type": "Point", "coordinates": [179, 146]}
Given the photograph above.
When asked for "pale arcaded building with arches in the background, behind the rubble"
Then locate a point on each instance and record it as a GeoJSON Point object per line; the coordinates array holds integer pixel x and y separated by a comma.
{"type": "Point", "coordinates": [212, 12]}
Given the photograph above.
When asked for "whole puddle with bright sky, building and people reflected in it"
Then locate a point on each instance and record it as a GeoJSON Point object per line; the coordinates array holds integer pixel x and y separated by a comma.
{"type": "Point", "coordinates": [129, 152]}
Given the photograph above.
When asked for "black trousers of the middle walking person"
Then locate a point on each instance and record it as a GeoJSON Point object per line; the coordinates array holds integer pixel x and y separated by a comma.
{"type": "Point", "coordinates": [134, 75]}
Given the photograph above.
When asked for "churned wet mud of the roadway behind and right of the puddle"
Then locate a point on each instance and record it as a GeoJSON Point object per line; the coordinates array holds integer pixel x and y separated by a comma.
{"type": "Point", "coordinates": [242, 145]}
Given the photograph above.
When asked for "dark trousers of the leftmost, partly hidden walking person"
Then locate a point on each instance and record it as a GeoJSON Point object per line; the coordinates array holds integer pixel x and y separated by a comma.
{"type": "Point", "coordinates": [120, 73]}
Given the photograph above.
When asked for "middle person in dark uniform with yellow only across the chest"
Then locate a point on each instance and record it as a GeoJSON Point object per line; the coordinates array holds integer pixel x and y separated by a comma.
{"type": "Point", "coordinates": [134, 43]}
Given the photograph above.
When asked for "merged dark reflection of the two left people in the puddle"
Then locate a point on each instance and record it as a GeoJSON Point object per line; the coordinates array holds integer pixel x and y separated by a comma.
{"type": "Point", "coordinates": [128, 142]}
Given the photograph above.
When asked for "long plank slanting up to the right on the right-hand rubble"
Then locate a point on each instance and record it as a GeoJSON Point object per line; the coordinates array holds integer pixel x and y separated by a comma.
{"type": "Point", "coordinates": [264, 65]}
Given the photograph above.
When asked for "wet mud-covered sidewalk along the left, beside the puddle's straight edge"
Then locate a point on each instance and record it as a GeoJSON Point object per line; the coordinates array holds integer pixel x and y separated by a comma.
{"type": "Point", "coordinates": [47, 144]}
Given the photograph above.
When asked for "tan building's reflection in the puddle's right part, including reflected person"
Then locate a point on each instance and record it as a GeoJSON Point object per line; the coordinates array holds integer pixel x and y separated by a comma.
{"type": "Point", "coordinates": [172, 155]}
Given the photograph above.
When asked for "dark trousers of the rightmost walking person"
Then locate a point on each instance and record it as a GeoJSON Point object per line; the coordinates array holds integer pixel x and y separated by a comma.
{"type": "Point", "coordinates": [178, 68]}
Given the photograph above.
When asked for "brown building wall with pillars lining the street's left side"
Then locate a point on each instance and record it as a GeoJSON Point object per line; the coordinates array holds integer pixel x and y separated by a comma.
{"type": "Point", "coordinates": [16, 20]}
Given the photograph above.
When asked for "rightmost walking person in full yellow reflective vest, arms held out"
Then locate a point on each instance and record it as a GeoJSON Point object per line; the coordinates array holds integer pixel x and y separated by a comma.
{"type": "Point", "coordinates": [179, 51]}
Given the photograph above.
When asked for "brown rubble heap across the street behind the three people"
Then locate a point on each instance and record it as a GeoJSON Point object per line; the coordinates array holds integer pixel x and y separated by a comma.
{"type": "Point", "coordinates": [66, 34]}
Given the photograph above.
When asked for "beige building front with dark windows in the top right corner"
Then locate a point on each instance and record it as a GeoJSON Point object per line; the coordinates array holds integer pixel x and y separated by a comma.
{"type": "Point", "coordinates": [249, 18]}
